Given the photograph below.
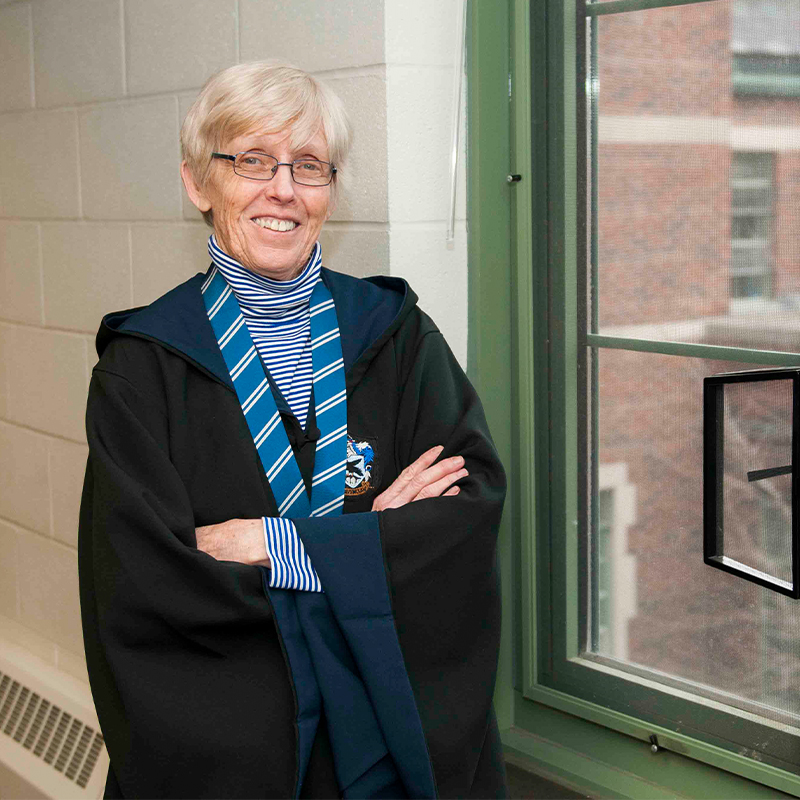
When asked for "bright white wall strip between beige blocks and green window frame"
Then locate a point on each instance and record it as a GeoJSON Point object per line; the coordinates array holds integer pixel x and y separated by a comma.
{"type": "Point", "coordinates": [421, 50]}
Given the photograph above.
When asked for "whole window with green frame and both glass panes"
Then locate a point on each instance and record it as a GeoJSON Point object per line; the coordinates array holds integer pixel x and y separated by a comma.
{"type": "Point", "coordinates": [634, 152]}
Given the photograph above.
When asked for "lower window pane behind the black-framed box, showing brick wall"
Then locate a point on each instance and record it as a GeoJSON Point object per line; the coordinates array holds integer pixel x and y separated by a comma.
{"type": "Point", "coordinates": [657, 607]}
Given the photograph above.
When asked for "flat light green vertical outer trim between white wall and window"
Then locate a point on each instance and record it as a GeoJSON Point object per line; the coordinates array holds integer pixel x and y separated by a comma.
{"type": "Point", "coordinates": [489, 258]}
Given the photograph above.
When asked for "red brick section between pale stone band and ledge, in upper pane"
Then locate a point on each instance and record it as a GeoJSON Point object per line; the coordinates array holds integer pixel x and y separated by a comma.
{"type": "Point", "coordinates": [663, 232]}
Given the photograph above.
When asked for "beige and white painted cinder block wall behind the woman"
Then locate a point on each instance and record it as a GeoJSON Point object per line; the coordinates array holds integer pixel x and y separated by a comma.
{"type": "Point", "coordinates": [93, 217]}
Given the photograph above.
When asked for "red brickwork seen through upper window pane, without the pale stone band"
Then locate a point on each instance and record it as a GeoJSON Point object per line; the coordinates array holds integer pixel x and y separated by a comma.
{"type": "Point", "coordinates": [664, 209]}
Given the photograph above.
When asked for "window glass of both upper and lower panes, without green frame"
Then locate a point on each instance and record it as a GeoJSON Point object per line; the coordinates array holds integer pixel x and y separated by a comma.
{"type": "Point", "coordinates": [694, 238]}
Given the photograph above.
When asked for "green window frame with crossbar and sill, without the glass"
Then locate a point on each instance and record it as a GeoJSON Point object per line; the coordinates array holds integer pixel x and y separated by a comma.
{"type": "Point", "coordinates": [523, 255]}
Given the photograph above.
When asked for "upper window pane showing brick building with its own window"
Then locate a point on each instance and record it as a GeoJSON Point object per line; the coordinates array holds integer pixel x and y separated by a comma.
{"type": "Point", "coordinates": [696, 186]}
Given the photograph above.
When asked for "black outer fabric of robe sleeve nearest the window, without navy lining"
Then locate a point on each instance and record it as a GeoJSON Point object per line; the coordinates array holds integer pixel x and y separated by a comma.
{"type": "Point", "coordinates": [441, 562]}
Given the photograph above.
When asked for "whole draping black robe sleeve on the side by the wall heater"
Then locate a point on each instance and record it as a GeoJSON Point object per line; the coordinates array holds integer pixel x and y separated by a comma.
{"type": "Point", "coordinates": [186, 672]}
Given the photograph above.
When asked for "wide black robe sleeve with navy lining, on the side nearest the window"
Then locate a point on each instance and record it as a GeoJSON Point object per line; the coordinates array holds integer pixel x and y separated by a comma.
{"type": "Point", "coordinates": [437, 558]}
